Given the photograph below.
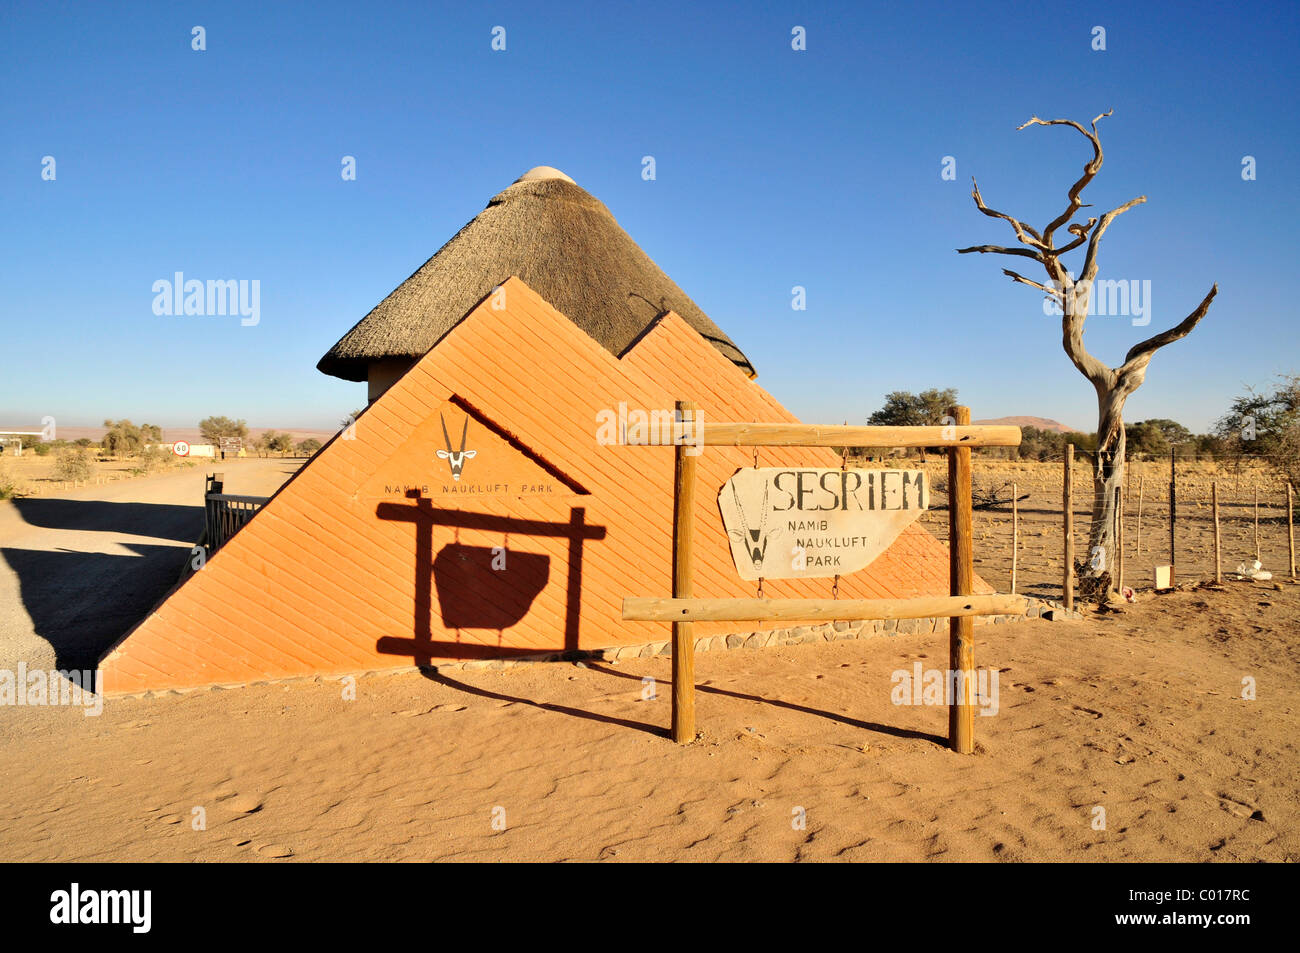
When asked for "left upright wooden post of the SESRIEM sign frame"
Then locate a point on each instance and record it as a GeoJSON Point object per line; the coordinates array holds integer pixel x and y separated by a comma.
{"type": "Point", "coordinates": [683, 577]}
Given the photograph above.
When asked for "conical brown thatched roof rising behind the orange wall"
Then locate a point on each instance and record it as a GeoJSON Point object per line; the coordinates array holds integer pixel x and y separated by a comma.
{"type": "Point", "coordinates": [564, 244]}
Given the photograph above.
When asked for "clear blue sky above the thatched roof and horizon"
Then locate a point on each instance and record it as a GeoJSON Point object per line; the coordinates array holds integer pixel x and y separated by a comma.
{"type": "Point", "coordinates": [774, 168]}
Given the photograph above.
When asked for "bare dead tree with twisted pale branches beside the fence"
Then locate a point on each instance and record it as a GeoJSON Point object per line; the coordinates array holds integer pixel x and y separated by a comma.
{"type": "Point", "coordinates": [1073, 296]}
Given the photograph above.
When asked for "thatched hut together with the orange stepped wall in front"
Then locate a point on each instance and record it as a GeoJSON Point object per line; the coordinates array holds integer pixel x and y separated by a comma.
{"type": "Point", "coordinates": [471, 513]}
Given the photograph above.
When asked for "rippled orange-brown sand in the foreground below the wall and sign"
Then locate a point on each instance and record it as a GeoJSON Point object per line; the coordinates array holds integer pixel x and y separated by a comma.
{"type": "Point", "coordinates": [1139, 714]}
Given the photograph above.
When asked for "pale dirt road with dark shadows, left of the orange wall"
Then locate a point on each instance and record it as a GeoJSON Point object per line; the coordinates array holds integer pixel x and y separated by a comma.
{"type": "Point", "coordinates": [81, 569]}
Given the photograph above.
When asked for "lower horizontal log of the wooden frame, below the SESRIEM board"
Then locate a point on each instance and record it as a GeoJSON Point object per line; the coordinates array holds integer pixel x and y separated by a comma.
{"type": "Point", "coordinates": [662, 609]}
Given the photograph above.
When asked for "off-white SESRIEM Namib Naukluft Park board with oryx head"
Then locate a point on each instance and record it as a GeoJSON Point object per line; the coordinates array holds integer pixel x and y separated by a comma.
{"type": "Point", "coordinates": [792, 523]}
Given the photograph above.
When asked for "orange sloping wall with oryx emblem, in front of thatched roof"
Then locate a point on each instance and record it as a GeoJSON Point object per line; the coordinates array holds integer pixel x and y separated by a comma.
{"type": "Point", "coordinates": [372, 557]}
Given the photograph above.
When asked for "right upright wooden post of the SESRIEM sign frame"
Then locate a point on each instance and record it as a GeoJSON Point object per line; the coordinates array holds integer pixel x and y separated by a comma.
{"type": "Point", "coordinates": [961, 631]}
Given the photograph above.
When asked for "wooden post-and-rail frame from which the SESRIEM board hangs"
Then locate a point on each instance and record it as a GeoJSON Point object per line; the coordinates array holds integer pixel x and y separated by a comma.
{"type": "Point", "coordinates": [960, 607]}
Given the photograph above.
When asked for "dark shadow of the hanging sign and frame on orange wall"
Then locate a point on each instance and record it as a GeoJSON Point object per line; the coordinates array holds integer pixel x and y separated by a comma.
{"type": "Point", "coordinates": [473, 595]}
